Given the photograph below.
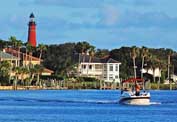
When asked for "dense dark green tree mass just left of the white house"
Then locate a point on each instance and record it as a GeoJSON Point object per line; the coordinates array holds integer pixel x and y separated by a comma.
{"type": "Point", "coordinates": [59, 57]}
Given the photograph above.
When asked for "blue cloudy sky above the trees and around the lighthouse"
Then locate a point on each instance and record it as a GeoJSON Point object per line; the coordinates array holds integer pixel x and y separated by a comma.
{"type": "Point", "coordinates": [106, 24]}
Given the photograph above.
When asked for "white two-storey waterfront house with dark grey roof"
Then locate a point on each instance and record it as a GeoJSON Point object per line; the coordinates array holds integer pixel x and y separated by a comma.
{"type": "Point", "coordinates": [106, 69]}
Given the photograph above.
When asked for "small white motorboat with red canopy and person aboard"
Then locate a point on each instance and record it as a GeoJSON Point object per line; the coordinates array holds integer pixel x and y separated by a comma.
{"type": "Point", "coordinates": [132, 96]}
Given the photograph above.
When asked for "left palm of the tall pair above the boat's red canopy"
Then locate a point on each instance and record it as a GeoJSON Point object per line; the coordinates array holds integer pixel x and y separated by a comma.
{"type": "Point", "coordinates": [134, 53]}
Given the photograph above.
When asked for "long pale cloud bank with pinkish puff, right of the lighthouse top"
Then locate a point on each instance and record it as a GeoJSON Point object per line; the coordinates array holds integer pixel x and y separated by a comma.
{"type": "Point", "coordinates": [111, 18]}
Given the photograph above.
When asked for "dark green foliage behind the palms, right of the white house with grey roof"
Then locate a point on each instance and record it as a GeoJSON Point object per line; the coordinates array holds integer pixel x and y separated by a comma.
{"type": "Point", "coordinates": [156, 57]}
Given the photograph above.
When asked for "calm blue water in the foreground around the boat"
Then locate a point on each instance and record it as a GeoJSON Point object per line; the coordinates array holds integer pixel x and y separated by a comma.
{"type": "Point", "coordinates": [83, 106]}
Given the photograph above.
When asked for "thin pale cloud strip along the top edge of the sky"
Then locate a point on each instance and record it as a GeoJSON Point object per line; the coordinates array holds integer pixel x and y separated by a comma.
{"type": "Point", "coordinates": [86, 3]}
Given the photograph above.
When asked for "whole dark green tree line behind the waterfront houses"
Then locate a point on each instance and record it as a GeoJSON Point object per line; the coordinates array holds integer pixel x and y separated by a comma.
{"type": "Point", "coordinates": [61, 57]}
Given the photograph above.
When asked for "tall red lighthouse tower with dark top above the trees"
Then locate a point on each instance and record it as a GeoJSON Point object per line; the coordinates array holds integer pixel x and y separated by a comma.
{"type": "Point", "coordinates": [32, 31]}
